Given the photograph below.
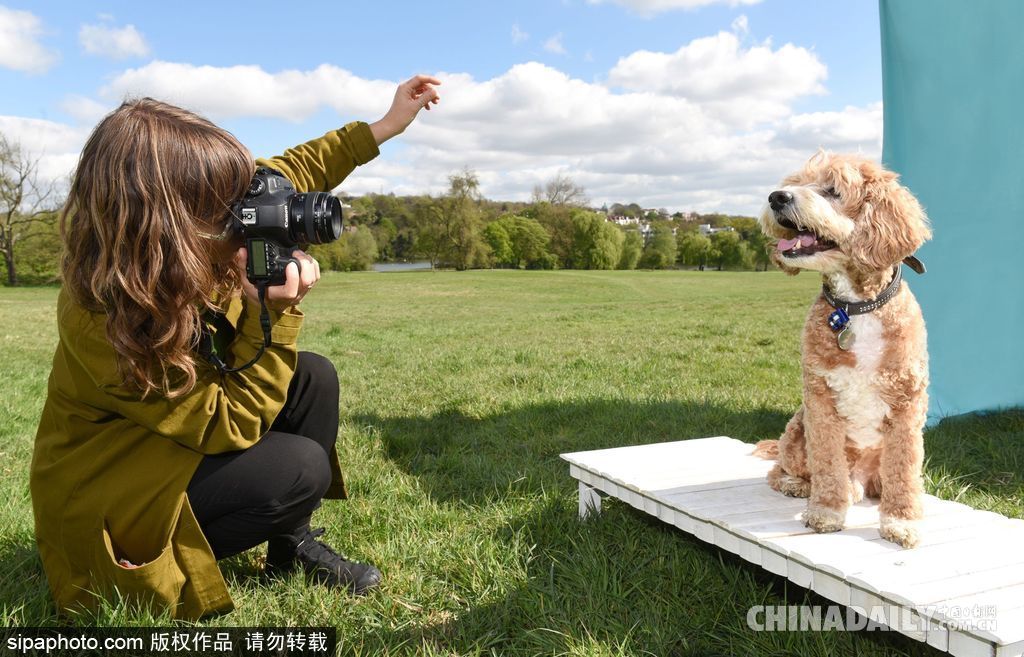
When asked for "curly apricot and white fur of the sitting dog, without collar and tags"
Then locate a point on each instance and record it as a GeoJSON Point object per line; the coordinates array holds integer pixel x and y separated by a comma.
{"type": "Point", "coordinates": [860, 430]}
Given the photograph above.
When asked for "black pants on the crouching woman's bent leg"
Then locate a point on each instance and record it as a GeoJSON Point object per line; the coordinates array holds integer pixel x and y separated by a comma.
{"type": "Point", "coordinates": [243, 499]}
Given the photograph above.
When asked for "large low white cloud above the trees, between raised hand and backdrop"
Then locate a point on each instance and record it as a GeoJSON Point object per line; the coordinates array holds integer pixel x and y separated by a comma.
{"type": "Point", "coordinates": [659, 150]}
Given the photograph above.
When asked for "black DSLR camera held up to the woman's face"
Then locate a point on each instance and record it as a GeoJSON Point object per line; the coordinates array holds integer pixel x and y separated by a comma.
{"type": "Point", "coordinates": [276, 221]}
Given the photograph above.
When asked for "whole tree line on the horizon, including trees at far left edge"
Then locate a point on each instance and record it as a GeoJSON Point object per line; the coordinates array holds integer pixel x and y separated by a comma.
{"type": "Point", "coordinates": [460, 230]}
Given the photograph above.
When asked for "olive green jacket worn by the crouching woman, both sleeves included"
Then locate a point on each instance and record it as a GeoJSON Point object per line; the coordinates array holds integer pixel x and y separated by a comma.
{"type": "Point", "coordinates": [110, 470]}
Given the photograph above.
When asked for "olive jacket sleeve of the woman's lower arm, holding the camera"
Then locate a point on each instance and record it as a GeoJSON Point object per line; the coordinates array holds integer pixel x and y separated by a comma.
{"type": "Point", "coordinates": [223, 413]}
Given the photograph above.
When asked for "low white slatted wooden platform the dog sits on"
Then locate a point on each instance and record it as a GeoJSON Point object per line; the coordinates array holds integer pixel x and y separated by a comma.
{"type": "Point", "coordinates": [962, 590]}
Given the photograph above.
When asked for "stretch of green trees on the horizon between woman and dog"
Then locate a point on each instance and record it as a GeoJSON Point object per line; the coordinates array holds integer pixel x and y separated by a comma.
{"type": "Point", "coordinates": [461, 230]}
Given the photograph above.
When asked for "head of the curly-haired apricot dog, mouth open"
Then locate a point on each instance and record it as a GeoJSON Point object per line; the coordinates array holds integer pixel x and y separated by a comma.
{"type": "Point", "coordinates": [843, 214]}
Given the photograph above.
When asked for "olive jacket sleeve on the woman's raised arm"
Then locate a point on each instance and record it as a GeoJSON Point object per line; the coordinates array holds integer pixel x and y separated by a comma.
{"type": "Point", "coordinates": [321, 165]}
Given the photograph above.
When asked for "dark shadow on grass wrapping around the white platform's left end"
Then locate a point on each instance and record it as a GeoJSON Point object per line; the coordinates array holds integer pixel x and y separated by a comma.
{"type": "Point", "coordinates": [623, 584]}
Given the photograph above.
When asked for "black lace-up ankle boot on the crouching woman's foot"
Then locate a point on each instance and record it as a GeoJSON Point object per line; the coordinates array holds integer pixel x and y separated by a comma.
{"type": "Point", "coordinates": [321, 563]}
